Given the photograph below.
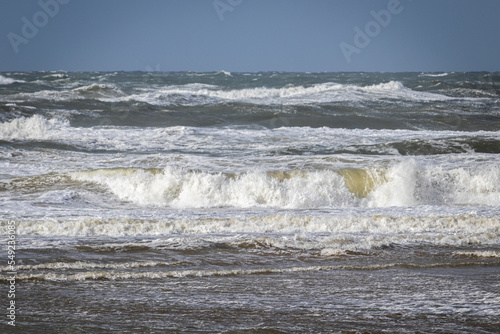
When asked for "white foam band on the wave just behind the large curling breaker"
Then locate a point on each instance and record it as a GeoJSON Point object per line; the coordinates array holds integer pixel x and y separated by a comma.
{"type": "Point", "coordinates": [227, 139]}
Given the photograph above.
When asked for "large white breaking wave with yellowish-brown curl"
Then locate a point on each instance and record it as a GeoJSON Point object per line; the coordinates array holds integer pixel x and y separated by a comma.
{"type": "Point", "coordinates": [403, 184]}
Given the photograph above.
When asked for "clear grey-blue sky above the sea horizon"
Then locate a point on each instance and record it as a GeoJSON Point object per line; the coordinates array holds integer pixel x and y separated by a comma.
{"type": "Point", "coordinates": [250, 35]}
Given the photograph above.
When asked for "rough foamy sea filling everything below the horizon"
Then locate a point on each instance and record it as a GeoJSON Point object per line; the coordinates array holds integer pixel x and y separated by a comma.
{"type": "Point", "coordinates": [251, 202]}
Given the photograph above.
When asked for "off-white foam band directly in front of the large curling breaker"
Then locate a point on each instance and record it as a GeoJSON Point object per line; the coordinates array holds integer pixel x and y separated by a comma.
{"type": "Point", "coordinates": [317, 234]}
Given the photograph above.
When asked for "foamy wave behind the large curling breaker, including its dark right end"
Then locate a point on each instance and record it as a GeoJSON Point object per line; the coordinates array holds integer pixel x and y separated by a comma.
{"type": "Point", "coordinates": [322, 140]}
